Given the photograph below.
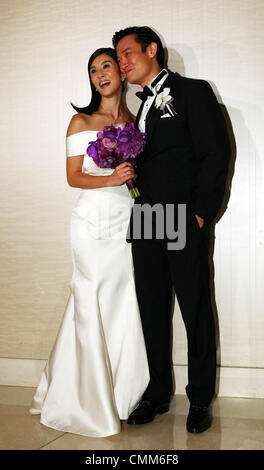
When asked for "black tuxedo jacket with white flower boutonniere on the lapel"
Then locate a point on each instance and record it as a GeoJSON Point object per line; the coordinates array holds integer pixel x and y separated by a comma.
{"type": "Point", "coordinates": [185, 160]}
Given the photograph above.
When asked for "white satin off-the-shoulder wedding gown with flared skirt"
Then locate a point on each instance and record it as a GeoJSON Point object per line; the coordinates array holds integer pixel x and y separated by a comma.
{"type": "Point", "coordinates": [97, 370]}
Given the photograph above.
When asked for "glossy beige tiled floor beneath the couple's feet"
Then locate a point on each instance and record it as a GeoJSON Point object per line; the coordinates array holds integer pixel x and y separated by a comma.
{"type": "Point", "coordinates": [238, 424]}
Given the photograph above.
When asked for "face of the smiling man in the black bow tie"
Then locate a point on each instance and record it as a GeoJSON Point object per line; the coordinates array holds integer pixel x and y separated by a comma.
{"type": "Point", "coordinates": [135, 64]}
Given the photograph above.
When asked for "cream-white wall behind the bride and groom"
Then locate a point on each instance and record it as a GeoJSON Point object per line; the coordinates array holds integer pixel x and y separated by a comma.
{"type": "Point", "coordinates": [45, 46]}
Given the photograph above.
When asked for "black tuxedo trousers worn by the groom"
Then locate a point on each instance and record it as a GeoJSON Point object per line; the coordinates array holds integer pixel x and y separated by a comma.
{"type": "Point", "coordinates": [157, 271]}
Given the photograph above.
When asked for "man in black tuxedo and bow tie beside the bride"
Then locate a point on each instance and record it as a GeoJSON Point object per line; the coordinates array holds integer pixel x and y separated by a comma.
{"type": "Point", "coordinates": [185, 161]}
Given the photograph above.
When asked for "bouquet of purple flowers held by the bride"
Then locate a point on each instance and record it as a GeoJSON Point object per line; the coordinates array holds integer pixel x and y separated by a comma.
{"type": "Point", "coordinates": [115, 145]}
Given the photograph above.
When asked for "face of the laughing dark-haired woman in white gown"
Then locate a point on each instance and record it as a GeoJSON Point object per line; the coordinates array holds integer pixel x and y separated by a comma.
{"type": "Point", "coordinates": [105, 75]}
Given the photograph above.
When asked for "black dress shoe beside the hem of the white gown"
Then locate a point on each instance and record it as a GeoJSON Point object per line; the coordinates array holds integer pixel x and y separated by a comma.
{"type": "Point", "coordinates": [146, 412]}
